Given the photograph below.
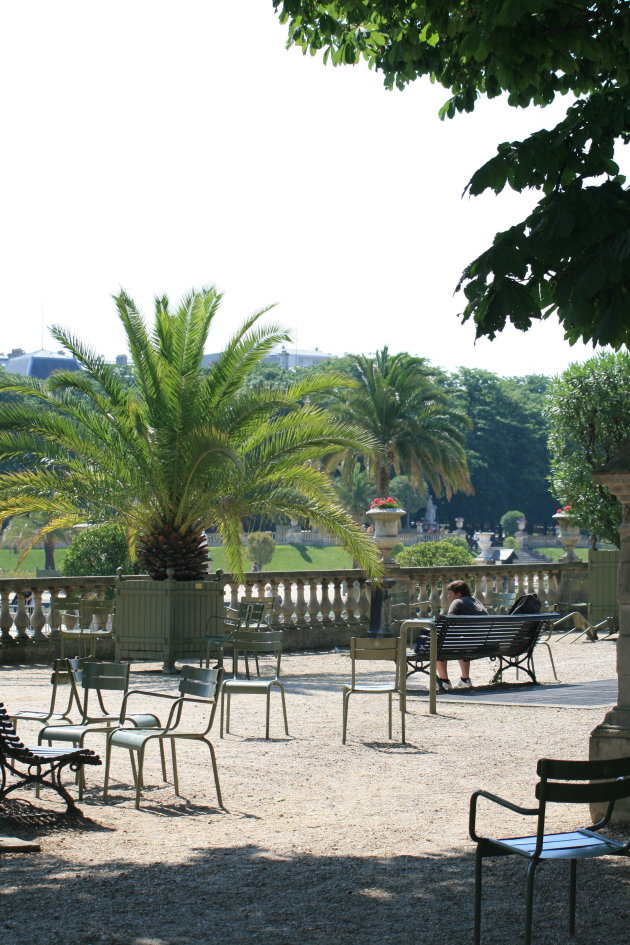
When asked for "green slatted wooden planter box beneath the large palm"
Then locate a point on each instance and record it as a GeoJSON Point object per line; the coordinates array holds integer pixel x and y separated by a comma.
{"type": "Point", "coordinates": [166, 620]}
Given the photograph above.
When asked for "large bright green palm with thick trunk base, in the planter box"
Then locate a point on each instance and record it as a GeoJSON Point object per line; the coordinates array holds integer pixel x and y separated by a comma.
{"type": "Point", "coordinates": [180, 450]}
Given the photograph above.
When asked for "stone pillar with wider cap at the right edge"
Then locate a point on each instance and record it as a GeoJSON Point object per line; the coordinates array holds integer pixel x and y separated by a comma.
{"type": "Point", "coordinates": [611, 739]}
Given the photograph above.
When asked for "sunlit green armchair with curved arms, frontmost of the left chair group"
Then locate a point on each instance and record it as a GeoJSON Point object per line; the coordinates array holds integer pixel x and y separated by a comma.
{"type": "Point", "coordinates": [197, 685]}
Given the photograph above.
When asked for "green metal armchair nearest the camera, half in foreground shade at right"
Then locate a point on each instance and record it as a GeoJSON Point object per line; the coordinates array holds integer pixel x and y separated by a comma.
{"type": "Point", "coordinates": [612, 783]}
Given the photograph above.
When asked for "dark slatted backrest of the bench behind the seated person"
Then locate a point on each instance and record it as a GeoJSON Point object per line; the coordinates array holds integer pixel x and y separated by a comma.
{"type": "Point", "coordinates": [494, 634]}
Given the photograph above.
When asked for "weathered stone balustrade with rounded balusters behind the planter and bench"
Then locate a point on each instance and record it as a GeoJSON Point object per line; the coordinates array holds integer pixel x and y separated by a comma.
{"type": "Point", "coordinates": [316, 608]}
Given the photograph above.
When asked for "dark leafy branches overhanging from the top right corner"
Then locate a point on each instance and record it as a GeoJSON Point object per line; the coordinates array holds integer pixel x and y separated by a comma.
{"type": "Point", "coordinates": [571, 255]}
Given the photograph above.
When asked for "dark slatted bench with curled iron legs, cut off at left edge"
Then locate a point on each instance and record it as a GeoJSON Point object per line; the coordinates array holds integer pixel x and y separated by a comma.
{"type": "Point", "coordinates": [39, 766]}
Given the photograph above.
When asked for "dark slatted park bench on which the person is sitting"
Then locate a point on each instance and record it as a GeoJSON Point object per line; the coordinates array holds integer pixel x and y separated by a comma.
{"type": "Point", "coordinates": [508, 638]}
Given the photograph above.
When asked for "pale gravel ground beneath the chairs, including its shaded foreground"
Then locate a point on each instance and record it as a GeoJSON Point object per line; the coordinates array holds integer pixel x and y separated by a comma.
{"type": "Point", "coordinates": [318, 842]}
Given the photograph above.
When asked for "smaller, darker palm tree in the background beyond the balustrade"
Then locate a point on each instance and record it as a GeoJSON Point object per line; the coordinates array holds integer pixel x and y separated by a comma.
{"type": "Point", "coordinates": [419, 431]}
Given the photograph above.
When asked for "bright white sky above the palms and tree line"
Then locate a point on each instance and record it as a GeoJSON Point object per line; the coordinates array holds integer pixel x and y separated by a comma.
{"type": "Point", "coordinates": [159, 147]}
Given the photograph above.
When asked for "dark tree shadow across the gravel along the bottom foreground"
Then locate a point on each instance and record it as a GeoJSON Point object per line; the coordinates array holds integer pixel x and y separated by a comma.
{"type": "Point", "coordinates": [242, 895]}
